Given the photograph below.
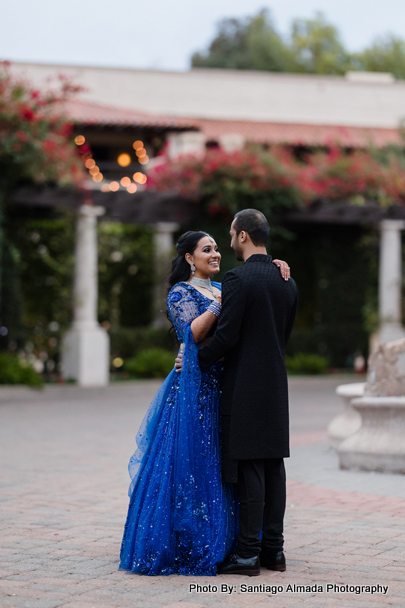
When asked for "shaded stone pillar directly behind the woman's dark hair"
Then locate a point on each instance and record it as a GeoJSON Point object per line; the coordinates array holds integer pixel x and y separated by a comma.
{"type": "Point", "coordinates": [163, 253]}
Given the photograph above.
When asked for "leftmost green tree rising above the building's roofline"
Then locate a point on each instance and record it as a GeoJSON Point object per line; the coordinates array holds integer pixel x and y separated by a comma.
{"type": "Point", "coordinates": [247, 44]}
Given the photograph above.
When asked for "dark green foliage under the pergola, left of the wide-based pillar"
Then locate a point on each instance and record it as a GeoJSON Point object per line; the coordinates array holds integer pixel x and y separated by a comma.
{"type": "Point", "coordinates": [43, 265]}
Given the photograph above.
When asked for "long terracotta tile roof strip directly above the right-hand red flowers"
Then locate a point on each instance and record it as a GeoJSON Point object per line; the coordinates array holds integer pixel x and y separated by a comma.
{"type": "Point", "coordinates": [299, 134]}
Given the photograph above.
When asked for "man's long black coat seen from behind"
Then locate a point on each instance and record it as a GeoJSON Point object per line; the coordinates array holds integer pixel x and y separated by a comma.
{"type": "Point", "coordinates": [258, 312]}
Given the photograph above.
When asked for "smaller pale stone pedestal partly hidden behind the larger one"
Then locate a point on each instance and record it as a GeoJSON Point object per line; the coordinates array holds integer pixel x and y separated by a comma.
{"type": "Point", "coordinates": [349, 421]}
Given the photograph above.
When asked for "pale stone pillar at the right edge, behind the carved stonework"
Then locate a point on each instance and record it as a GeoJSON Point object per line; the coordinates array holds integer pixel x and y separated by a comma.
{"type": "Point", "coordinates": [390, 281]}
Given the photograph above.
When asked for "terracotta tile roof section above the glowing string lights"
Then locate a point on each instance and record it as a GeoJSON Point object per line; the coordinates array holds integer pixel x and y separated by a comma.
{"type": "Point", "coordinates": [89, 113]}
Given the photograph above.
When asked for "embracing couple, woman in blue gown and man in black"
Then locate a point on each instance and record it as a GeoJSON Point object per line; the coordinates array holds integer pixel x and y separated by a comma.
{"type": "Point", "coordinates": [208, 491]}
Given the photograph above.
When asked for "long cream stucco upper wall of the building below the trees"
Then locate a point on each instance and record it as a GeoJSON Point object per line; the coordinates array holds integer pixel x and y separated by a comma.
{"type": "Point", "coordinates": [238, 95]}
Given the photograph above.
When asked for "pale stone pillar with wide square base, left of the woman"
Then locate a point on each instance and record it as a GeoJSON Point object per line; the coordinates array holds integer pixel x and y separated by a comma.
{"type": "Point", "coordinates": [85, 356]}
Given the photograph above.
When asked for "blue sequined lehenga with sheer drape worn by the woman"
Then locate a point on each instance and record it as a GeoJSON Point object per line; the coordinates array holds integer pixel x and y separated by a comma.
{"type": "Point", "coordinates": [181, 518]}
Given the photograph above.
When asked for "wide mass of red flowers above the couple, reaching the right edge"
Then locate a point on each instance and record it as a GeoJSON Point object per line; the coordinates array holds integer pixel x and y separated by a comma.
{"type": "Point", "coordinates": [223, 179]}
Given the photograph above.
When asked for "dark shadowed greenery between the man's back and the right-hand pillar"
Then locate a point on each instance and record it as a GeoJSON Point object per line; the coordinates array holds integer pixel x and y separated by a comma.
{"type": "Point", "coordinates": [336, 275]}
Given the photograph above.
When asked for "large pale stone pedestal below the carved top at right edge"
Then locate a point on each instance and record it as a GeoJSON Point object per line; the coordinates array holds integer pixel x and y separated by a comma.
{"type": "Point", "coordinates": [379, 445]}
